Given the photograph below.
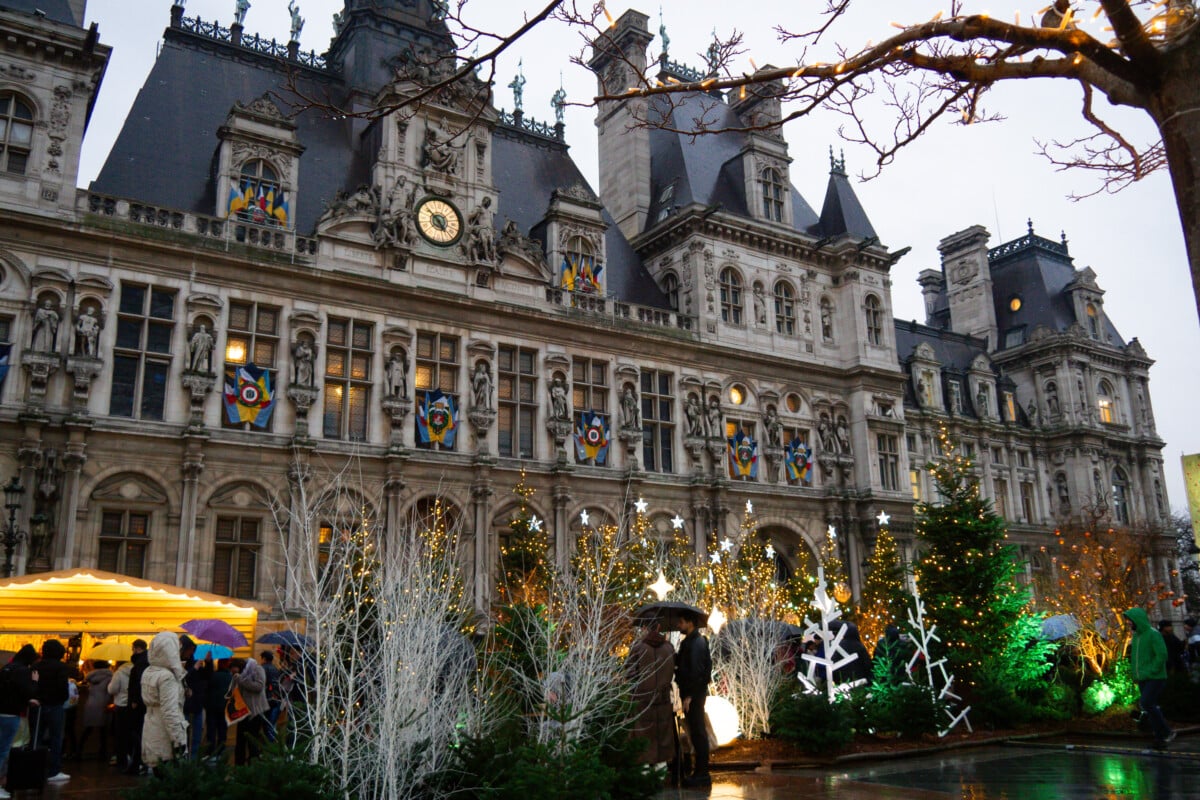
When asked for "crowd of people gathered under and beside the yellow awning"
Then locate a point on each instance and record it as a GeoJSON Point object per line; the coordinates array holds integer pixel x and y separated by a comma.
{"type": "Point", "coordinates": [161, 705]}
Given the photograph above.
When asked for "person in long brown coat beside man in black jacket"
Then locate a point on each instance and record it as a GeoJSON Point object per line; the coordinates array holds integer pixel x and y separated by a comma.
{"type": "Point", "coordinates": [651, 670]}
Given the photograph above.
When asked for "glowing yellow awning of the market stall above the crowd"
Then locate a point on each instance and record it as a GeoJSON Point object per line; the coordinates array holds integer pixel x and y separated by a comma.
{"type": "Point", "coordinates": [104, 604]}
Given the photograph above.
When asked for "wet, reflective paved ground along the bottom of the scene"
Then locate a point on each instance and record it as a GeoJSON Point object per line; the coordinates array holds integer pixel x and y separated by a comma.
{"type": "Point", "coordinates": [1048, 771]}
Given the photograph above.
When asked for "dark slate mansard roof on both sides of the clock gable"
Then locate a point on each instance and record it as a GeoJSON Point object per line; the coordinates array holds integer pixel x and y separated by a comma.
{"type": "Point", "coordinates": [167, 152]}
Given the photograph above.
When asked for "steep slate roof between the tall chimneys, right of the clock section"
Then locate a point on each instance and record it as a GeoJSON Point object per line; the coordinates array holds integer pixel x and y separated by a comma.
{"type": "Point", "coordinates": [706, 169]}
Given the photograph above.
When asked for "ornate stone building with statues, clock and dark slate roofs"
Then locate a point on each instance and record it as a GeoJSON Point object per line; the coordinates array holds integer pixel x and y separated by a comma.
{"type": "Point", "coordinates": [247, 297]}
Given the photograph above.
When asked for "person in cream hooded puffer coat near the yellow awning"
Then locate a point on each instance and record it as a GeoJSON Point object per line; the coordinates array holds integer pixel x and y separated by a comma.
{"type": "Point", "coordinates": [163, 694]}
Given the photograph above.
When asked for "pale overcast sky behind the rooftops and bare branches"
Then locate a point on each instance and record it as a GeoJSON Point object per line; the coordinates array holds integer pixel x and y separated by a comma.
{"type": "Point", "coordinates": [956, 177]}
